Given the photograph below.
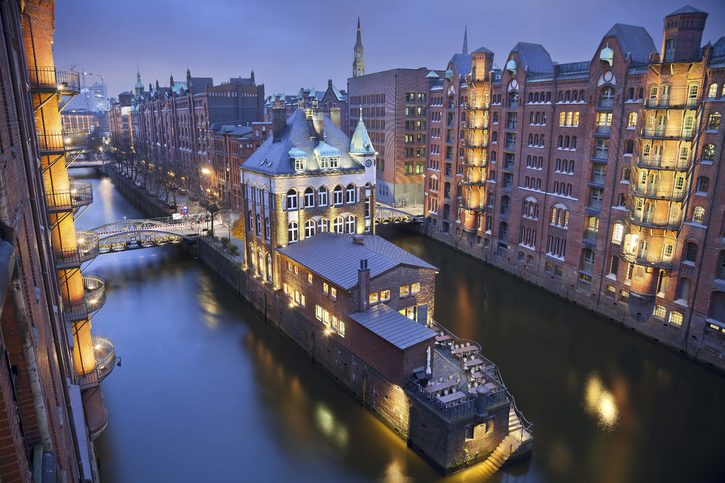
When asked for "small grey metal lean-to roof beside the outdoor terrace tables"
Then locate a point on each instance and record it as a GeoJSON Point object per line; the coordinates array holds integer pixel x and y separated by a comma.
{"type": "Point", "coordinates": [392, 326]}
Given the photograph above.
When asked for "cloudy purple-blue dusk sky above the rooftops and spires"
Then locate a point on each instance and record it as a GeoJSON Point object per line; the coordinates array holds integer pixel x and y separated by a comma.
{"type": "Point", "coordinates": [290, 44]}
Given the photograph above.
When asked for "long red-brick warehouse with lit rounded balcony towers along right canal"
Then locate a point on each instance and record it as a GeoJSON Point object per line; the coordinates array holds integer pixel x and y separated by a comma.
{"type": "Point", "coordinates": [598, 180]}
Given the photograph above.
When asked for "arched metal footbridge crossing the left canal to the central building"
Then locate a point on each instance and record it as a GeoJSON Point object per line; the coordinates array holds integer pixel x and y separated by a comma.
{"type": "Point", "coordinates": [146, 233]}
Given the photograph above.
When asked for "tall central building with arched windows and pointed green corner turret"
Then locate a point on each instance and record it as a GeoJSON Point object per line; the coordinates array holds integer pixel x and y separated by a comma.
{"type": "Point", "coordinates": [306, 178]}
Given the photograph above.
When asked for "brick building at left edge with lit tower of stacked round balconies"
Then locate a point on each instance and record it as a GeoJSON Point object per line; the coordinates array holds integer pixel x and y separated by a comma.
{"type": "Point", "coordinates": [51, 406]}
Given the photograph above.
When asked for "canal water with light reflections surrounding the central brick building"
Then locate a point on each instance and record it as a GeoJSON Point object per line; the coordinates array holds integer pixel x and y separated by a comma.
{"type": "Point", "coordinates": [208, 393]}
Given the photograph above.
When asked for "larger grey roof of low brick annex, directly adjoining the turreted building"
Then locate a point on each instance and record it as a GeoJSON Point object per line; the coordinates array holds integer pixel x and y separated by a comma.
{"type": "Point", "coordinates": [336, 258]}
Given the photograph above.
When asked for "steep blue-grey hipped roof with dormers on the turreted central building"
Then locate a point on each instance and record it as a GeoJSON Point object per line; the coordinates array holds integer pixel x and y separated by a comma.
{"type": "Point", "coordinates": [273, 158]}
